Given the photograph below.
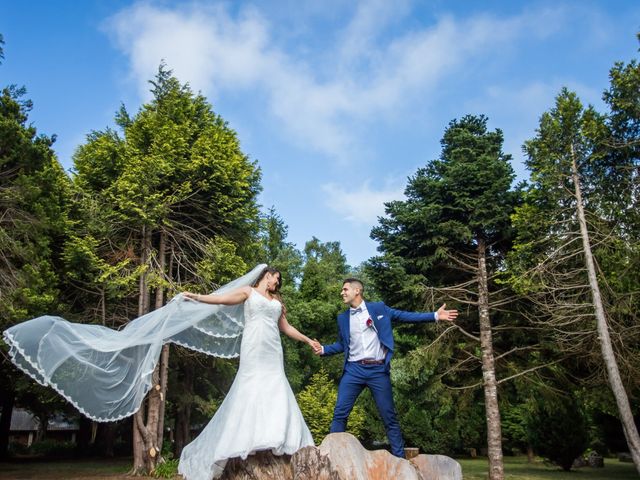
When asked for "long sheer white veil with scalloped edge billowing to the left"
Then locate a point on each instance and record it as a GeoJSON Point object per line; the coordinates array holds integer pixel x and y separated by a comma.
{"type": "Point", "coordinates": [106, 373]}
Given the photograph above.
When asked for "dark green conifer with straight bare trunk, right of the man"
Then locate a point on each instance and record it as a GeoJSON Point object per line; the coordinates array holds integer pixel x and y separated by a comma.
{"type": "Point", "coordinates": [456, 218]}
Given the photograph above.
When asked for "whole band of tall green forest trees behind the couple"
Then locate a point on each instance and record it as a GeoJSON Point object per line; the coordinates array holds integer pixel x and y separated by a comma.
{"type": "Point", "coordinates": [164, 200]}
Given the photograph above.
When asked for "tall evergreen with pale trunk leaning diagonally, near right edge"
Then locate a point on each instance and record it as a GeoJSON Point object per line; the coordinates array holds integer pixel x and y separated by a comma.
{"type": "Point", "coordinates": [555, 262]}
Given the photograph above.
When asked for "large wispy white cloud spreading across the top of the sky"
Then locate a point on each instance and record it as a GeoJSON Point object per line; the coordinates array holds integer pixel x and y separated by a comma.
{"type": "Point", "coordinates": [216, 51]}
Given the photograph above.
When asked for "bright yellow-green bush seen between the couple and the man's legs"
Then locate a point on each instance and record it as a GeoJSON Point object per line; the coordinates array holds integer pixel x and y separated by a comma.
{"type": "Point", "coordinates": [316, 403]}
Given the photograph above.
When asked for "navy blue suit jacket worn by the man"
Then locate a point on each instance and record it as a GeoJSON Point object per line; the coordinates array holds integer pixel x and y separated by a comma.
{"type": "Point", "coordinates": [382, 317]}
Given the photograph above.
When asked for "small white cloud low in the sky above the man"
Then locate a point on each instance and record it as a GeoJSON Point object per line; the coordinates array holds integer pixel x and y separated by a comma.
{"type": "Point", "coordinates": [362, 205]}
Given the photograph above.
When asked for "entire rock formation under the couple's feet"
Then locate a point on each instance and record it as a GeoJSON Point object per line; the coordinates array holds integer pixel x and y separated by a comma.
{"type": "Point", "coordinates": [341, 457]}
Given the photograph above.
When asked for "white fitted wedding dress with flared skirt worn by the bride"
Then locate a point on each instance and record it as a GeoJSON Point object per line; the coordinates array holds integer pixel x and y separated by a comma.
{"type": "Point", "coordinates": [260, 411]}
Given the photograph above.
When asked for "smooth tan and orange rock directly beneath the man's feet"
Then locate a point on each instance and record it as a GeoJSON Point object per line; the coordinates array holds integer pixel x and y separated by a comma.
{"type": "Point", "coordinates": [352, 462]}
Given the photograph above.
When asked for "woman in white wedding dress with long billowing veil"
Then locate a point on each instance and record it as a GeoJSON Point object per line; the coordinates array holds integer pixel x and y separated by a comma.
{"type": "Point", "coordinates": [107, 373]}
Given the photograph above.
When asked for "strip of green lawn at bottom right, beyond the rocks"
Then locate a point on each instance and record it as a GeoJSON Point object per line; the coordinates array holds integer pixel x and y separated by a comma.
{"type": "Point", "coordinates": [518, 468]}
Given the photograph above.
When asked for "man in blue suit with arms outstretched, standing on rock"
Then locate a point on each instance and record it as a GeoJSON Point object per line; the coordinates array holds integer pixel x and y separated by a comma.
{"type": "Point", "coordinates": [365, 337]}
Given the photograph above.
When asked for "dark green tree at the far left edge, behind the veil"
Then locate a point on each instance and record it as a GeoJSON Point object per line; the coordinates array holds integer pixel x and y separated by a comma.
{"type": "Point", "coordinates": [34, 198]}
